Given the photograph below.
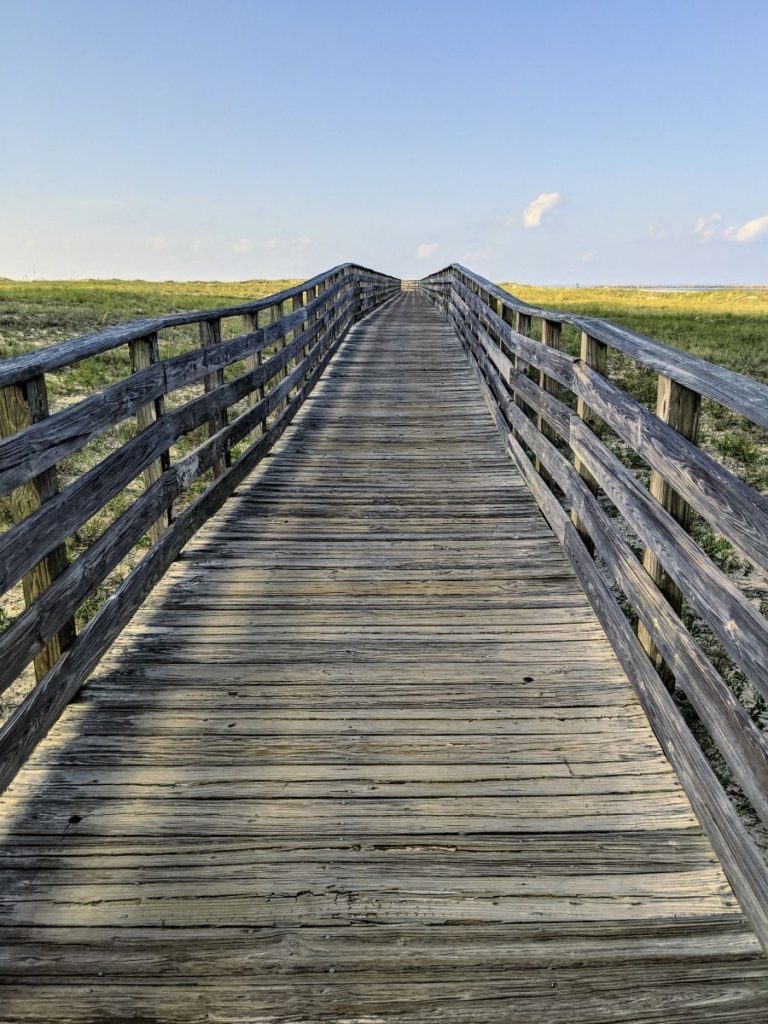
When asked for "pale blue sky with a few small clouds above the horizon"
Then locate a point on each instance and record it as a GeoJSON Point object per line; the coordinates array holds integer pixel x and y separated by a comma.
{"type": "Point", "coordinates": [535, 142]}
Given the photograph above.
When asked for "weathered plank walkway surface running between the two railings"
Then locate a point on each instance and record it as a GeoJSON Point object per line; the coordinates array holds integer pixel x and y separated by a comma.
{"type": "Point", "coordinates": [367, 755]}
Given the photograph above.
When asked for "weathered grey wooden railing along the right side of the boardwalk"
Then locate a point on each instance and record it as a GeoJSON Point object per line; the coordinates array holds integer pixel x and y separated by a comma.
{"type": "Point", "coordinates": [564, 419]}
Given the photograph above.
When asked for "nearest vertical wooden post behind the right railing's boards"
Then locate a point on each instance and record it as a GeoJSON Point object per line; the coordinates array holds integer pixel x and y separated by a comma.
{"type": "Point", "coordinates": [680, 408]}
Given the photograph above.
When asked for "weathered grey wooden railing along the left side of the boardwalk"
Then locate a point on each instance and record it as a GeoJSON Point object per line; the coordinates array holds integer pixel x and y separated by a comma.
{"type": "Point", "coordinates": [285, 344]}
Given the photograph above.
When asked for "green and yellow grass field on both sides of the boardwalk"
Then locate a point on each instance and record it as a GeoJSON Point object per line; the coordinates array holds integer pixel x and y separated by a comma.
{"type": "Point", "coordinates": [728, 326]}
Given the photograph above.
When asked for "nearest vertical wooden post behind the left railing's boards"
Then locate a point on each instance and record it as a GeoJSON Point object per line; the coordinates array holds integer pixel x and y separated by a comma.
{"type": "Point", "coordinates": [21, 406]}
